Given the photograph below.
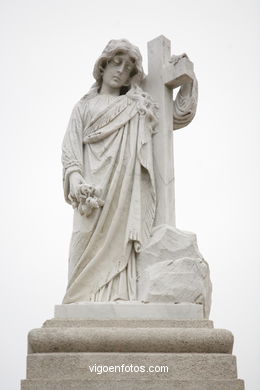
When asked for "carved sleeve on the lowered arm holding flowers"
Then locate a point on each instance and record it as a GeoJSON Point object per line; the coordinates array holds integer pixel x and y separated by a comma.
{"type": "Point", "coordinates": [72, 148]}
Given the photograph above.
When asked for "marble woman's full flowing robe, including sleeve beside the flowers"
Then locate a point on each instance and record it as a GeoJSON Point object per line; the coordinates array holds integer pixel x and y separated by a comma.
{"type": "Point", "coordinates": [109, 142]}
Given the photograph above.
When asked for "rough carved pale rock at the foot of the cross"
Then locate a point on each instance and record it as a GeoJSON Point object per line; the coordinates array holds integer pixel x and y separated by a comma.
{"type": "Point", "coordinates": [171, 269]}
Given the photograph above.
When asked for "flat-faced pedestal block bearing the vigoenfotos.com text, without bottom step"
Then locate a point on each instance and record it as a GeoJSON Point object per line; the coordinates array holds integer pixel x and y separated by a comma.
{"type": "Point", "coordinates": [113, 366]}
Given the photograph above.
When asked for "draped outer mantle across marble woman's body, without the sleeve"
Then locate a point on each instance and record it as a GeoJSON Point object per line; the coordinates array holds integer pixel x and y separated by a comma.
{"type": "Point", "coordinates": [117, 156]}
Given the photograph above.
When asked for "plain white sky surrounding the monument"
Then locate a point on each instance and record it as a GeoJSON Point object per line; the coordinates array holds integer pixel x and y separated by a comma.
{"type": "Point", "coordinates": [48, 51]}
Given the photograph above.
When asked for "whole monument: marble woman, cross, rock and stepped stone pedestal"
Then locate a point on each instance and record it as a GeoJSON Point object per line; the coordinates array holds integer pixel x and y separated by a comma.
{"type": "Point", "coordinates": [139, 289]}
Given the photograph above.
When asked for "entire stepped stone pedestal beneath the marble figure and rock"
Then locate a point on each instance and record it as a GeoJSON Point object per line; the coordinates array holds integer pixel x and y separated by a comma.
{"type": "Point", "coordinates": [144, 353]}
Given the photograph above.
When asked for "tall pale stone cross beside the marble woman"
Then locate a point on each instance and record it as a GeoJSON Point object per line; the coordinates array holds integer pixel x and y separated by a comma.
{"type": "Point", "coordinates": [163, 76]}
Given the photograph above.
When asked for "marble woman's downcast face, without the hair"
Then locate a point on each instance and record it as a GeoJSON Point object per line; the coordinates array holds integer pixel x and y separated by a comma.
{"type": "Point", "coordinates": [118, 70]}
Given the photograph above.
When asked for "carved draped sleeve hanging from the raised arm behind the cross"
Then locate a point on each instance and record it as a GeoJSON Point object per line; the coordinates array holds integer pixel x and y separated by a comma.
{"type": "Point", "coordinates": [184, 106]}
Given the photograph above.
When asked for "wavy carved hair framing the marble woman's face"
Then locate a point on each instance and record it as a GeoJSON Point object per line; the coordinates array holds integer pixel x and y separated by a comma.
{"type": "Point", "coordinates": [113, 49]}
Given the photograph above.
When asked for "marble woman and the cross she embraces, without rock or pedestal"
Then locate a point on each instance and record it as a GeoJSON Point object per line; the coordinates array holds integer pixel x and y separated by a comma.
{"type": "Point", "coordinates": [116, 162]}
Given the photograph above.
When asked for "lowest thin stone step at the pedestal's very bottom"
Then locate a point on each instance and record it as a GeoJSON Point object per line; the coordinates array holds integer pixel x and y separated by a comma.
{"type": "Point", "coordinates": [149, 384]}
